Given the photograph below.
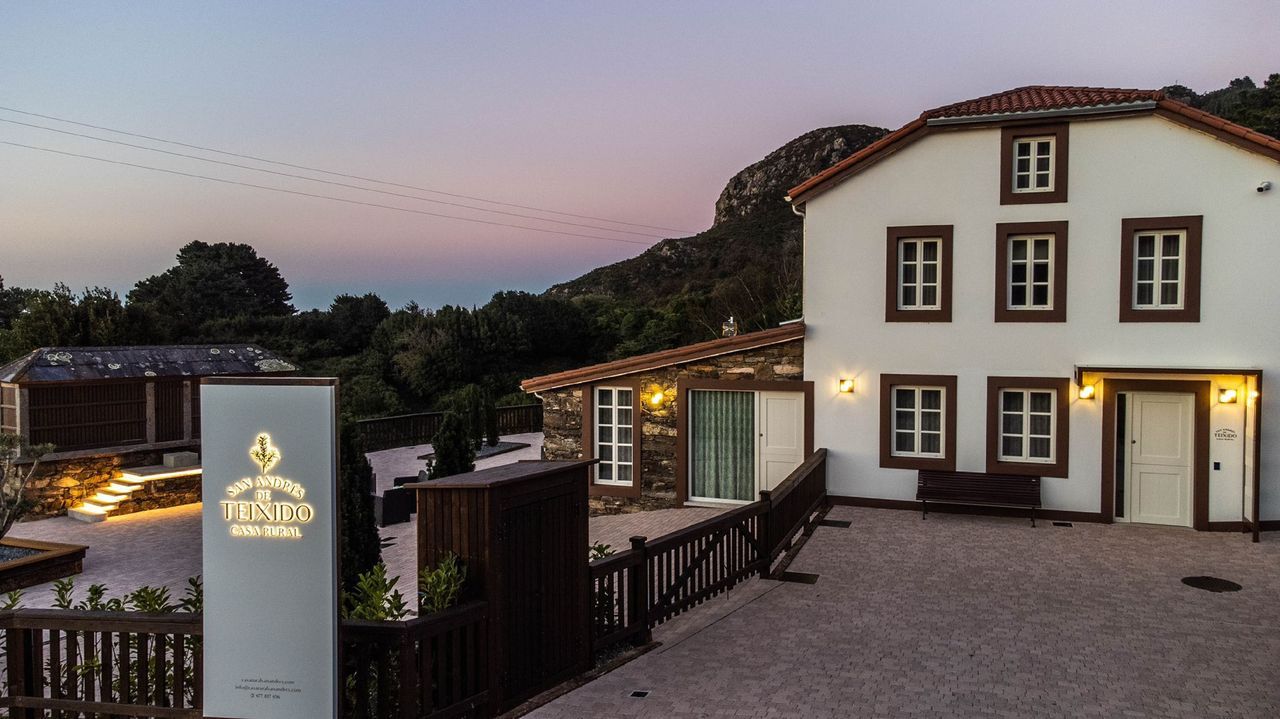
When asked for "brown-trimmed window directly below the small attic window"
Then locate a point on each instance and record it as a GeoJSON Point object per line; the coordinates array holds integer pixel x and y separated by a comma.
{"type": "Point", "coordinates": [1031, 272]}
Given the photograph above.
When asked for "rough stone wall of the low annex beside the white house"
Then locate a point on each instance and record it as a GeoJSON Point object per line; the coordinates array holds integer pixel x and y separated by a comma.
{"type": "Point", "coordinates": [563, 418]}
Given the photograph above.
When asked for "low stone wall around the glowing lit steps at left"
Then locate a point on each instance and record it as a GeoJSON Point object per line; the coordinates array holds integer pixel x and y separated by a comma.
{"type": "Point", "coordinates": [62, 484]}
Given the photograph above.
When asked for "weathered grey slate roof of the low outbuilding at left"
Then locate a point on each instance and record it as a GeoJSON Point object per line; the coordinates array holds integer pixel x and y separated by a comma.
{"type": "Point", "coordinates": [88, 364]}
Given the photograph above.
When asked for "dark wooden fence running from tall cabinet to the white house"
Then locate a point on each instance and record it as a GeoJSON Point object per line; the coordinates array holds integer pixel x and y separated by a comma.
{"type": "Point", "coordinates": [656, 580]}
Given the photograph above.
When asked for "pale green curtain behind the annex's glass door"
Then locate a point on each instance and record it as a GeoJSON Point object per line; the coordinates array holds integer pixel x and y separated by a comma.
{"type": "Point", "coordinates": [723, 425]}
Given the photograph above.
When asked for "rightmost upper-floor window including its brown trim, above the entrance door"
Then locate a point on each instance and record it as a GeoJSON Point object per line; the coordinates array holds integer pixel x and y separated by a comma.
{"type": "Point", "coordinates": [1160, 269]}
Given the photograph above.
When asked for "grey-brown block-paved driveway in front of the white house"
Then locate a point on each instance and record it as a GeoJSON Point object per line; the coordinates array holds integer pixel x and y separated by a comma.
{"type": "Point", "coordinates": [973, 617]}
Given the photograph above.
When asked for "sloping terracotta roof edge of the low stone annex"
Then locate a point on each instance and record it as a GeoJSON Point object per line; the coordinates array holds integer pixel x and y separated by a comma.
{"type": "Point", "coordinates": [666, 358]}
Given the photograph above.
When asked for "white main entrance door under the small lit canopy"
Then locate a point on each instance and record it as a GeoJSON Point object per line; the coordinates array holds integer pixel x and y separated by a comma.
{"type": "Point", "coordinates": [1162, 456]}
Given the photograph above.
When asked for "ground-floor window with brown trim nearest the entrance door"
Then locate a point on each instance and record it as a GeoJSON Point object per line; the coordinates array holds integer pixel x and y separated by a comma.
{"type": "Point", "coordinates": [1028, 427]}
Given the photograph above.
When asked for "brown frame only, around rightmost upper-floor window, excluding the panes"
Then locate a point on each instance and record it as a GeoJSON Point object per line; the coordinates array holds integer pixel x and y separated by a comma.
{"type": "Point", "coordinates": [1194, 259]}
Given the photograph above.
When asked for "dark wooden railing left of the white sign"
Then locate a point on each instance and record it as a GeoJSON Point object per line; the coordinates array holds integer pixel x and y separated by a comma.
{"type": "Point", "coordinates": [116, 663]}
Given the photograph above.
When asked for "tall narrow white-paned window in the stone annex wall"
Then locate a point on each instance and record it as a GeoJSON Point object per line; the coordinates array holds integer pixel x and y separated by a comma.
{"type": "Point", "coordinates": [612, 433]}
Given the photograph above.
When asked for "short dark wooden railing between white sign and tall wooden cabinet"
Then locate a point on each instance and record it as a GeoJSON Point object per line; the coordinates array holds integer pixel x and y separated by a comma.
{"type": "Point", "coordinates": [433, 667]}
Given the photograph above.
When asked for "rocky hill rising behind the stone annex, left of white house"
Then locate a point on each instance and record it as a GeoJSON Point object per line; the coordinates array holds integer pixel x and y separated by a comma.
{"type": "Point", "coordinates": [748, 264]}
